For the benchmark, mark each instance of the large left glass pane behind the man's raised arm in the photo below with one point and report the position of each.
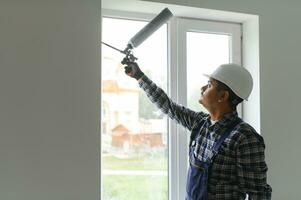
(133, 132)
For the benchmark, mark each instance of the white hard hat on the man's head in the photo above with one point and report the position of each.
(236, 77)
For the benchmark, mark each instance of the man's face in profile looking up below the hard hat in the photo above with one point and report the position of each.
(209, 94)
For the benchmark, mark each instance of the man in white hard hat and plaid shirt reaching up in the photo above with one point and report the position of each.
(226, 154)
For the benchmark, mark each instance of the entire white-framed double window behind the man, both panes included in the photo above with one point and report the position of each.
(143, 151)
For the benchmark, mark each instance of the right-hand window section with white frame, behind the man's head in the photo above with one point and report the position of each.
(200, 46)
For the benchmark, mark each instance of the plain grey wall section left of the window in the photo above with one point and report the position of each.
(49, 99)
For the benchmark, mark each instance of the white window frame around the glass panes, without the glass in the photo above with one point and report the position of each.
(177, 88)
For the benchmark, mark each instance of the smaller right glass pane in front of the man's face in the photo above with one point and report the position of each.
(205, 51)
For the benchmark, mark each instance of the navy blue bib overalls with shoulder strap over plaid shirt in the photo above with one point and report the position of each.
(197, 179)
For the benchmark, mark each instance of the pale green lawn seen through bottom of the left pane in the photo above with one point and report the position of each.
(131, 186)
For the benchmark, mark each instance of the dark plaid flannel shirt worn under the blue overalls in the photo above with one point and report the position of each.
(239, 168)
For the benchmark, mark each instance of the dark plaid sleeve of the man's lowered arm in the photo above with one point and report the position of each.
(252, 168)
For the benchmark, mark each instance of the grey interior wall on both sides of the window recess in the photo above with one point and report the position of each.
(49, 103)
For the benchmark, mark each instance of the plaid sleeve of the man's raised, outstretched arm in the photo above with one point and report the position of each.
(179, 113)
